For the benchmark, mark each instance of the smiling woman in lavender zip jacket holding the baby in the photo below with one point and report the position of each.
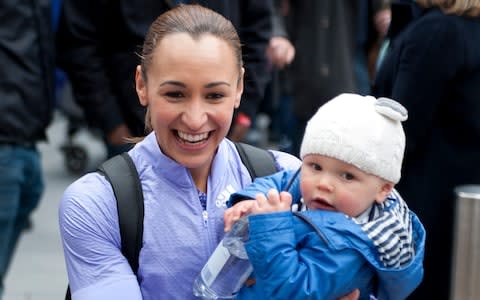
(191, 81)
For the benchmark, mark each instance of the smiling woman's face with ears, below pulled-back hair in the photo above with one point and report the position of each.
(192, 88)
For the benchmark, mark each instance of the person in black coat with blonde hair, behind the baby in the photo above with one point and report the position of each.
(432, 67)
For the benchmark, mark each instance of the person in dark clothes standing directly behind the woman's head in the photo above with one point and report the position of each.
(98, 42)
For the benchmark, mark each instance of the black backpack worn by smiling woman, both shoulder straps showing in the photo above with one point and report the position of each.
(120, 171)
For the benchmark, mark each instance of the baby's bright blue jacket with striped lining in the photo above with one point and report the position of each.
(324, 254)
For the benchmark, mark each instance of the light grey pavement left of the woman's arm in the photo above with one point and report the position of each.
(38, 270)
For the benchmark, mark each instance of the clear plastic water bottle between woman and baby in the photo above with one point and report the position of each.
(228, 267)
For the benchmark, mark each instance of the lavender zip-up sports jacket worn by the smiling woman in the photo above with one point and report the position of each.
(179, 236)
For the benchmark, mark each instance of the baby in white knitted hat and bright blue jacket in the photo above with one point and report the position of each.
(354, 230)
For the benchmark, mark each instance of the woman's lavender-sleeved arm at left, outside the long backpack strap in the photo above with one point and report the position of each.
(91, 242)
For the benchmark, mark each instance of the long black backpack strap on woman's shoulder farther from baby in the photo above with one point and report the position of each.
(122, 174)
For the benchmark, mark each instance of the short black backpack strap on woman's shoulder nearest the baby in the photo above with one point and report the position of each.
(259, 162)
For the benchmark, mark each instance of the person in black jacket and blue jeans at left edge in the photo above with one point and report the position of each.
(26, 105)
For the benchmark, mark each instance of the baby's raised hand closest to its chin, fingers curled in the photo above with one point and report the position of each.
(273, 202)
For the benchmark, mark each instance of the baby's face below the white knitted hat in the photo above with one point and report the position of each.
(330, 184)
